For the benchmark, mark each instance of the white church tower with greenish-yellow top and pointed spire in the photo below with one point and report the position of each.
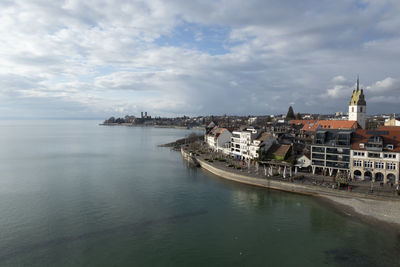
(358, 106)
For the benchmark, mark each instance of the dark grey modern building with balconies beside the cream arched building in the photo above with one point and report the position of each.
(330, 151)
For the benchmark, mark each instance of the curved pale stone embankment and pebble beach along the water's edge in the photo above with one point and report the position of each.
(366, 208)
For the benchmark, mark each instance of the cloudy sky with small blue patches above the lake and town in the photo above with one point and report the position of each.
(100, 58)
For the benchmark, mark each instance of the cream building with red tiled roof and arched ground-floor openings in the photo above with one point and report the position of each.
(375, 155)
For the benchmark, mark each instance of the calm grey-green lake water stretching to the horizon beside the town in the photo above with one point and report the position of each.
(73, 193)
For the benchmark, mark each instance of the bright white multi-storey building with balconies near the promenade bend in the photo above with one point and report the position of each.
(241, 141)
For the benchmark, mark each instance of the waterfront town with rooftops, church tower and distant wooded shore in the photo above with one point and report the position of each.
(352, 148)
